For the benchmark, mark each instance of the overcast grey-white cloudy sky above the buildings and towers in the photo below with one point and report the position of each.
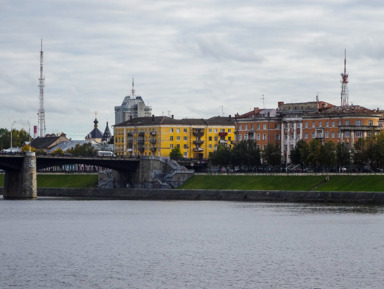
(194, 59)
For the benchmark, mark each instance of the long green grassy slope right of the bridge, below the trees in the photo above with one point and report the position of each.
(292, 183)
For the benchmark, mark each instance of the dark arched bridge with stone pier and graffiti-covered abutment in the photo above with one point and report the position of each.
(20, 171)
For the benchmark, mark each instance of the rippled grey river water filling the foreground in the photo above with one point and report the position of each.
(63, 243)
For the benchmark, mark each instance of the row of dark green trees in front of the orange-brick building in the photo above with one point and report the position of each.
(367, 153)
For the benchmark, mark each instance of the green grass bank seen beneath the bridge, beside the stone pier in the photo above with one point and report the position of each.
(63, 181)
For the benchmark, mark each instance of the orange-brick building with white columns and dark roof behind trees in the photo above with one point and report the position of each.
(292, 122)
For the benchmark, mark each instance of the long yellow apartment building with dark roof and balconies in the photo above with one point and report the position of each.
(158, 135)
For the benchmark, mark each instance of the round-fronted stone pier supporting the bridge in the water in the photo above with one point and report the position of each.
(22, 184)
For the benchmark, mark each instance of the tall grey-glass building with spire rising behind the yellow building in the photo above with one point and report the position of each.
(132, 107)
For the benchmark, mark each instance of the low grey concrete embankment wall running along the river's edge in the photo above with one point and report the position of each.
(376, 198)
